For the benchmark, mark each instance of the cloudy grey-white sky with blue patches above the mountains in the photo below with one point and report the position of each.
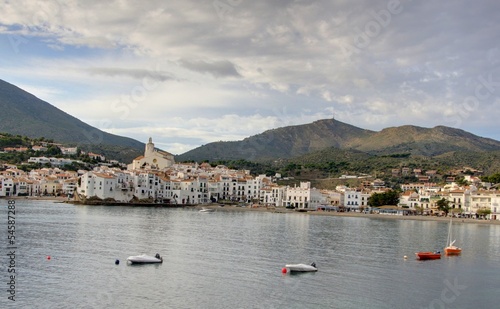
(192, 72)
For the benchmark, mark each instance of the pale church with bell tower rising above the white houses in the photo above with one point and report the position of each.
(153, 159)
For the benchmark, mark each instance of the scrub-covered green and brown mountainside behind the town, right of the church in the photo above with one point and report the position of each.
(454, 147)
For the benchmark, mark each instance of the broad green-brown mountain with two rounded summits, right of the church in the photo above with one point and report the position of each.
(294, 141)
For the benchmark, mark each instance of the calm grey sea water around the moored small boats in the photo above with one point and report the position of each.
(234, 260)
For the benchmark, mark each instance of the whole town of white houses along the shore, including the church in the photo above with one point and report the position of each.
(155, 177)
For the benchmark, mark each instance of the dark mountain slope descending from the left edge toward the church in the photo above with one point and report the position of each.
(24, 114)
